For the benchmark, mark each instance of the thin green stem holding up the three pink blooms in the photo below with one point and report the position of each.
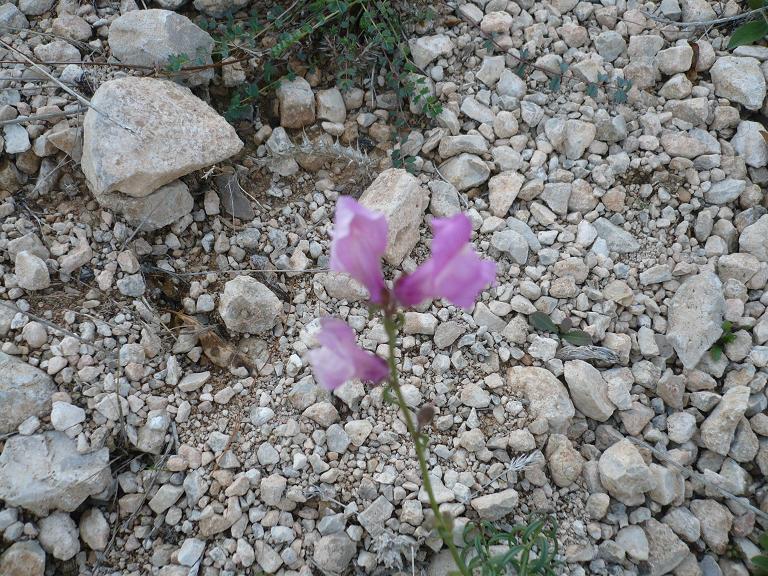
(443, 529)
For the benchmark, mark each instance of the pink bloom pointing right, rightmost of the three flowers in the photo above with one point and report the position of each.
(454, 272)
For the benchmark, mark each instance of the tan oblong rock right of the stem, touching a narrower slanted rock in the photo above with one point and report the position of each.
(547, 396)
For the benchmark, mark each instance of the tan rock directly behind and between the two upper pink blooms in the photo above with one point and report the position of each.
(399, 196)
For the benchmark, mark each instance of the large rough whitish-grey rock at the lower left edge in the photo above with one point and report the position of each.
(45, 472)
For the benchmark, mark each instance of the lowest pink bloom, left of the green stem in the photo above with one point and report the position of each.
(339, 359)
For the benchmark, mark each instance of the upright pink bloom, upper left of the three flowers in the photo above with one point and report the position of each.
(359, 242)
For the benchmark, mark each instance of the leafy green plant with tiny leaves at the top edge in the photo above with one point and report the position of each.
(363, 40)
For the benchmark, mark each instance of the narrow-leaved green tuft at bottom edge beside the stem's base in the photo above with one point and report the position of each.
(526, 549)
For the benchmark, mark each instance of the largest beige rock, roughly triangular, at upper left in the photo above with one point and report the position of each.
(151, 132)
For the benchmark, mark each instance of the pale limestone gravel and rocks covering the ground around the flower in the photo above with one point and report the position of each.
(163, 273)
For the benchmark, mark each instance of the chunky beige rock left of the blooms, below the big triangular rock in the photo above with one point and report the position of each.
(249, 306)
